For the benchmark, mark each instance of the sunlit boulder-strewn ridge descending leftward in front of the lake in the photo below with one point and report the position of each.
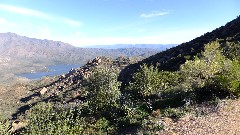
(66, 88)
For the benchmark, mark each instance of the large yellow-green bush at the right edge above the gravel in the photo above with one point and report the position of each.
(212, 74)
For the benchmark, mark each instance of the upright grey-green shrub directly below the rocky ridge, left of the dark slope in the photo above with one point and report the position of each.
(103, 91)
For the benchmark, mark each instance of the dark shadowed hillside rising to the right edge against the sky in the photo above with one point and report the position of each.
(171, 59)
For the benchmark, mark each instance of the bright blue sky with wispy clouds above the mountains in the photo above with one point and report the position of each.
(105, 22)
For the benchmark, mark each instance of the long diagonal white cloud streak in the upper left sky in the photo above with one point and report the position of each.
(35, 13)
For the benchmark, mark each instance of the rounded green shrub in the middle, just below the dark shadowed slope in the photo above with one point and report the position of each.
(149, 81)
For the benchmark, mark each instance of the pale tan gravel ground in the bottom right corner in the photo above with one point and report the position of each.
(223, 121)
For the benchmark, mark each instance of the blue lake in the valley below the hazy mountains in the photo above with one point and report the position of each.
(53, 71)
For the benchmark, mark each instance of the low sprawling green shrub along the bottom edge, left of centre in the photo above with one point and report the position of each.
(45, 118)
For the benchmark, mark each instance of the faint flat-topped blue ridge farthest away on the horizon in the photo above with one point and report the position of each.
(160, 47)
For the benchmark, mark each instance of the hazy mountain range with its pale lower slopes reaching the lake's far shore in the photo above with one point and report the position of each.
(20, 54)
